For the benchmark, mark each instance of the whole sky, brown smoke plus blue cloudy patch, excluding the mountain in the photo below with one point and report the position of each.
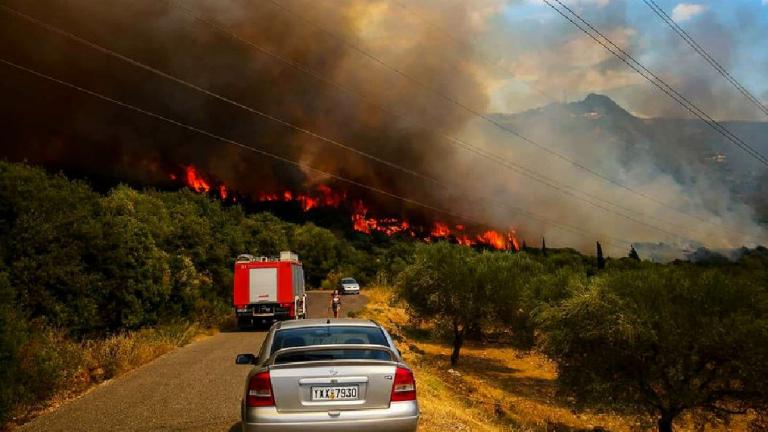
(397, 81)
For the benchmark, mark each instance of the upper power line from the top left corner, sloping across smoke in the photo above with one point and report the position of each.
(177, 80)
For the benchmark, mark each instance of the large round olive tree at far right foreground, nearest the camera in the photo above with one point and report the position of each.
(664, 340)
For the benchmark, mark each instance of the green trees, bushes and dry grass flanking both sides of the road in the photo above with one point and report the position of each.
(93, 284)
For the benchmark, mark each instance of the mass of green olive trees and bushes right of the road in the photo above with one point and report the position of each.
(662, 341)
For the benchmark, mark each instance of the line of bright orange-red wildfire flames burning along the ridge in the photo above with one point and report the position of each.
(325, 197)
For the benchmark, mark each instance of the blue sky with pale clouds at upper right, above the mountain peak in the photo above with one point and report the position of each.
(545, 51)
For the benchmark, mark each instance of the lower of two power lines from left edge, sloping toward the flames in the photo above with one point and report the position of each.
(275, 156)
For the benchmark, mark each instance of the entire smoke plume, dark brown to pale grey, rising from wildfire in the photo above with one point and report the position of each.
(416, 60)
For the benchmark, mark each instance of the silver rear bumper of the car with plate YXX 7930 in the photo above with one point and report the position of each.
(399, 417)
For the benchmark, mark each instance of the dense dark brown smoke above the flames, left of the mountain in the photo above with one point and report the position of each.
(54, 125)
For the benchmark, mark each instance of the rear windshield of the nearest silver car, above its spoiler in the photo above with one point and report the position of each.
(328, 335)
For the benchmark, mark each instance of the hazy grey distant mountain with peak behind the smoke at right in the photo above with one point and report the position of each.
(682, 148)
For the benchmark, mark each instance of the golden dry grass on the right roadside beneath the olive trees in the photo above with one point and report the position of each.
(494, 388)
